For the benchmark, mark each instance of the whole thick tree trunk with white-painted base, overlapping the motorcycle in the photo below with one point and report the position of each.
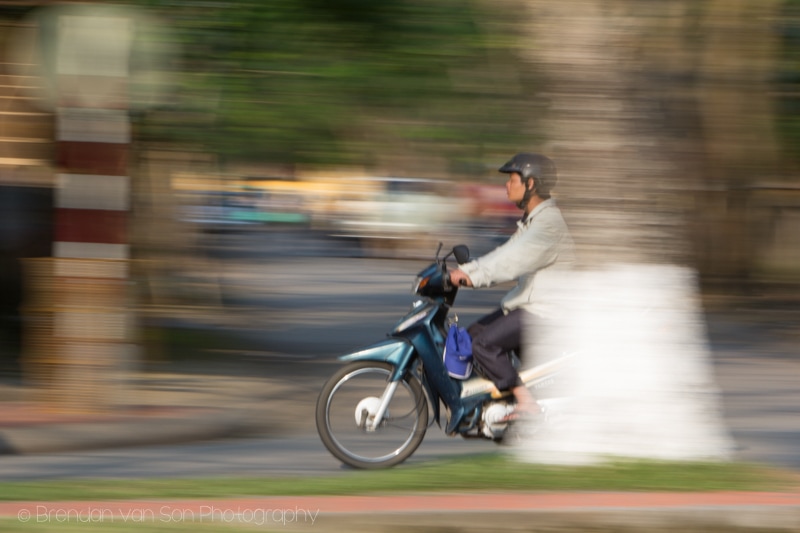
(643, 386)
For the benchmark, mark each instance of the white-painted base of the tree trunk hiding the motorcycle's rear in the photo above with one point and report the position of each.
(642, 385)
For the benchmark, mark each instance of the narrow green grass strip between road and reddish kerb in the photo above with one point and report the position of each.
(475, 473)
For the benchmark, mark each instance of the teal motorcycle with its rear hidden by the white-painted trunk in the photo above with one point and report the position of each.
(374, 411)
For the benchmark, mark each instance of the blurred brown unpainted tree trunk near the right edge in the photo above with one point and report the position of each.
(734, 67)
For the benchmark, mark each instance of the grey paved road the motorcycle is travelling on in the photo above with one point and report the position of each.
(299, 309)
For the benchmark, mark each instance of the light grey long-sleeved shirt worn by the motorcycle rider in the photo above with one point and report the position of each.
(536, 255)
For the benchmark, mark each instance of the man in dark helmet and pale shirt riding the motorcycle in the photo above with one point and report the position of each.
(541, 246)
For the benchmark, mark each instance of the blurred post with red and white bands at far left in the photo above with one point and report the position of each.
(90, 338)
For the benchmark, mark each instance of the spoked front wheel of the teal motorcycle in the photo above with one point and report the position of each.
(348, 404)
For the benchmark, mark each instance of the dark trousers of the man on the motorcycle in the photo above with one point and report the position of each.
(493, 336)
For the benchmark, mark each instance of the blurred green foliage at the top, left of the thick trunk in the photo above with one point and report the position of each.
(316, 81)
